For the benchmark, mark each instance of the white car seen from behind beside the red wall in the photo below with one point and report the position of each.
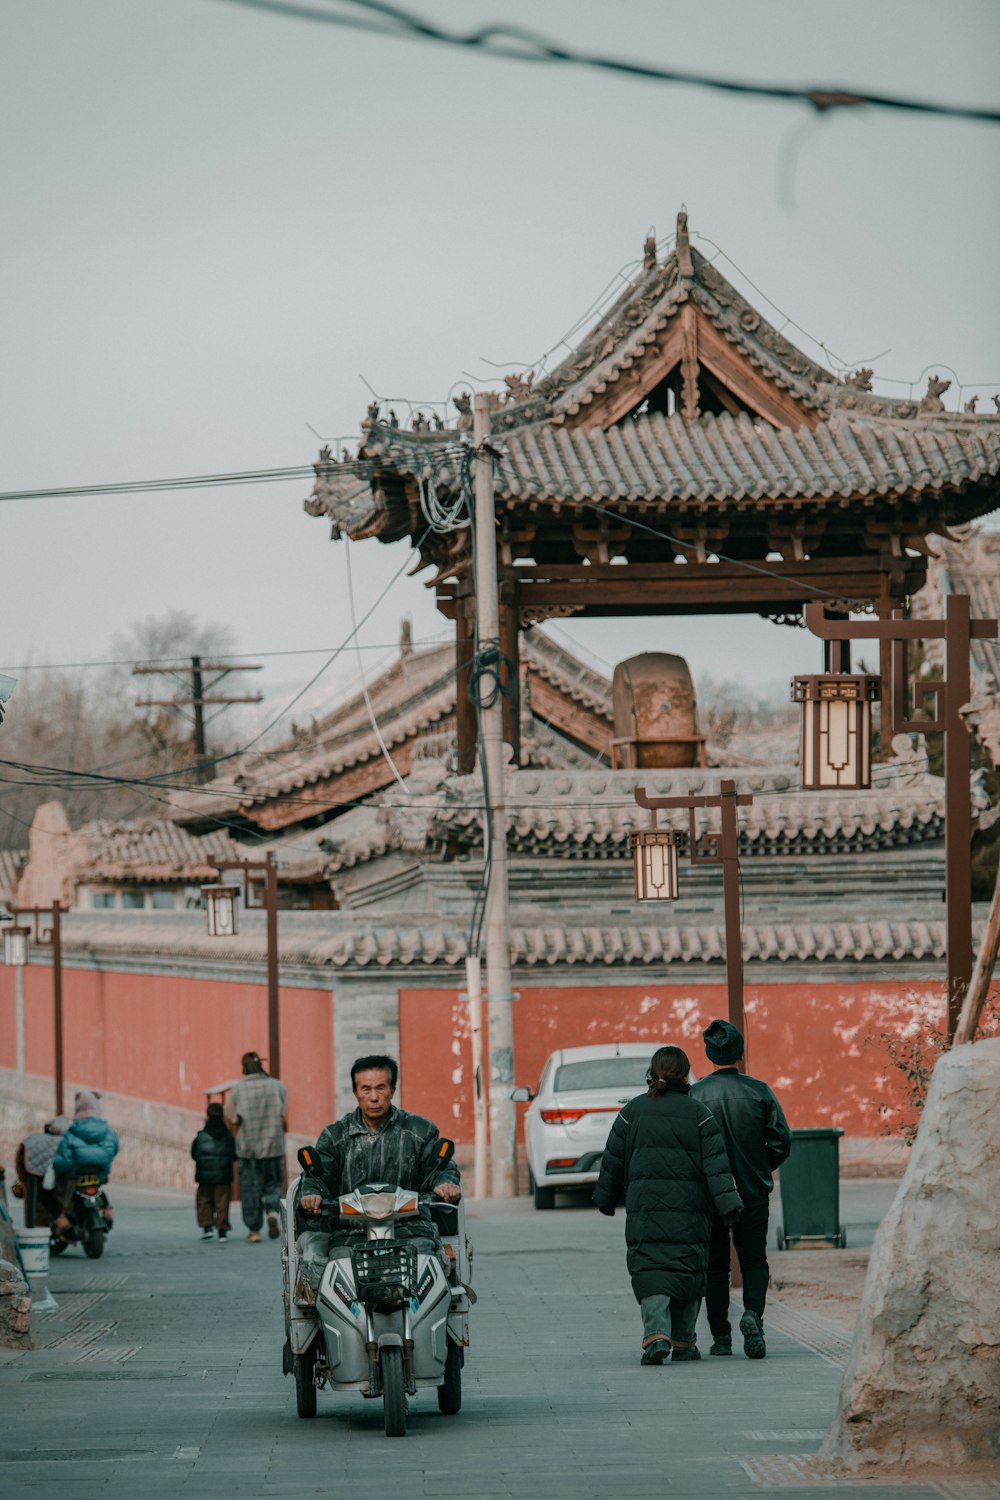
(579, 1094)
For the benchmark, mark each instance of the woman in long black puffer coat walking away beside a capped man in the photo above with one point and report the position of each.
(666, 1162)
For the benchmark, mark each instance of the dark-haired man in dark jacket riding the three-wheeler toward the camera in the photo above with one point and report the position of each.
(377, 1142)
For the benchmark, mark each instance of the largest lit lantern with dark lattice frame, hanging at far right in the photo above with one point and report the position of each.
(836, 743)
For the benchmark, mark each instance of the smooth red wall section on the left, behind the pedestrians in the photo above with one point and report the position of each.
(167, 1039)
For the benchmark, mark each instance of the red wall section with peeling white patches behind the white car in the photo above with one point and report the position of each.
(807, 1040)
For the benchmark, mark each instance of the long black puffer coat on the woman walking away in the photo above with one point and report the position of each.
(666, 1162)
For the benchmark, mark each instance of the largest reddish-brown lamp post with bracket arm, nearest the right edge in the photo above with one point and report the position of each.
(945, 700)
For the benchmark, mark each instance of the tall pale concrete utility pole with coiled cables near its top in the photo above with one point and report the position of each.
(499, 980)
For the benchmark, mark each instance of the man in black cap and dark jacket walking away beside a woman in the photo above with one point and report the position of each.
(758, 1141)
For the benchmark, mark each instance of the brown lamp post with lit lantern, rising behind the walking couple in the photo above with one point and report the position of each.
(656, 859)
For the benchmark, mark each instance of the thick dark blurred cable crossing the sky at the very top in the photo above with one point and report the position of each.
(521, 46)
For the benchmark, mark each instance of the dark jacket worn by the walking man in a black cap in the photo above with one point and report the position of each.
(756, 1133)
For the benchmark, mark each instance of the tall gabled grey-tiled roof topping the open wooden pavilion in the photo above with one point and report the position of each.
(686, 400)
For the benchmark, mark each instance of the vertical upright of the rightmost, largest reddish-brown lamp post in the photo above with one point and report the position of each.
(957, 805)
